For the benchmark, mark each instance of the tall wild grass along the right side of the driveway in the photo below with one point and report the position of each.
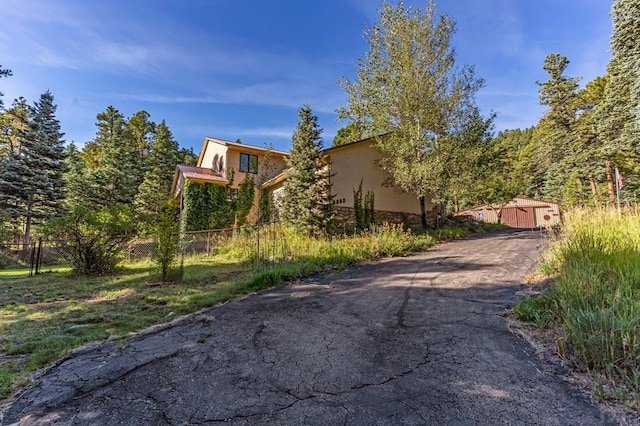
(594, 301)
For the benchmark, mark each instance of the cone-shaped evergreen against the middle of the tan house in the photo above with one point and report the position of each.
(307, 200)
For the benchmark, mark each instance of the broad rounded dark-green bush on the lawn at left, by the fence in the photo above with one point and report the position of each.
(94, 239)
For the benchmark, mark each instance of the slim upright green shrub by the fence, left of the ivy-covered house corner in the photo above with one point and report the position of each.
(166, 245)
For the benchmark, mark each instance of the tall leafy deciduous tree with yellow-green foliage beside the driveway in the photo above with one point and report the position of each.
(407, 84)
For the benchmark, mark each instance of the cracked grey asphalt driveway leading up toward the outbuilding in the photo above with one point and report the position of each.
(415, 340)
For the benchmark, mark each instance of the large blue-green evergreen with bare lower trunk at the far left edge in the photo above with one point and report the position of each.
(31, 184)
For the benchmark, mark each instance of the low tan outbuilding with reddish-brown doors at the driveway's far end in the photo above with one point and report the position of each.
(521, 212)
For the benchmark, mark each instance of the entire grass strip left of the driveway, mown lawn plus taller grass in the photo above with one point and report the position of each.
(45, 316)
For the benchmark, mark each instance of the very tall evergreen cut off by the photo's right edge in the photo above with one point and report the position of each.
(619, 115)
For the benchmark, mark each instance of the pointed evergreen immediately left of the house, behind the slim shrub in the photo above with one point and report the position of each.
(161, 163)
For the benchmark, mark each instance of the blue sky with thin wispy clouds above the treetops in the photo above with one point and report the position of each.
(241, 68)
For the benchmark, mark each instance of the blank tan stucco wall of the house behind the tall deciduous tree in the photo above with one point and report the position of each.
(351, 164)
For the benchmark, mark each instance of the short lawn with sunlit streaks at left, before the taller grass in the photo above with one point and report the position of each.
(44, 316)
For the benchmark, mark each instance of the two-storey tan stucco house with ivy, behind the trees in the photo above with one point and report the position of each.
(350, 165)
